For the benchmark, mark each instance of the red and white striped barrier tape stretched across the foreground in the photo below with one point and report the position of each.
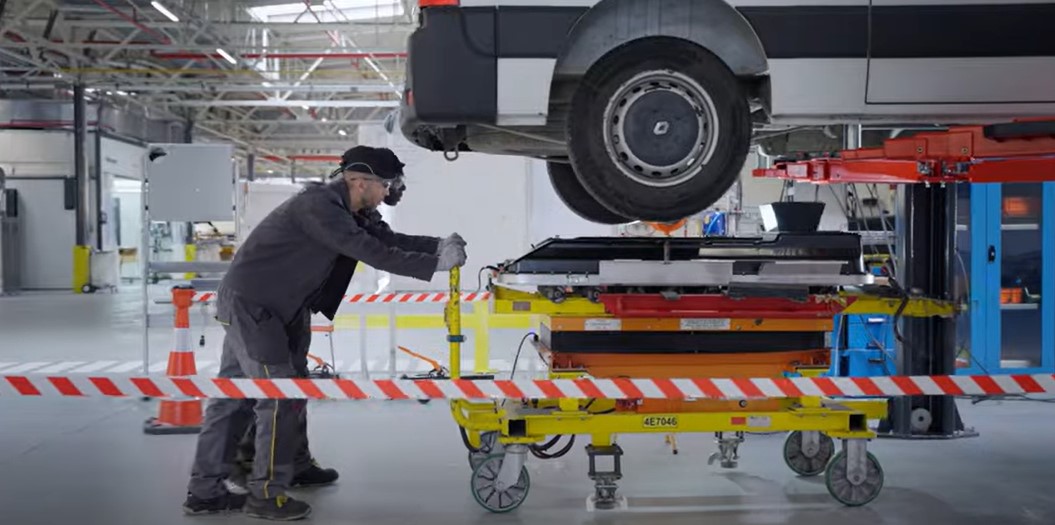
(743, 388)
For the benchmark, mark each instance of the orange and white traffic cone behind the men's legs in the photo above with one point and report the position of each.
(180, 417)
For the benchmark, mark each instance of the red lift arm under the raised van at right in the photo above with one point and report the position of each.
(1018, 152)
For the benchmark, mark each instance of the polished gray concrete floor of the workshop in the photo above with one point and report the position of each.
(88, 462)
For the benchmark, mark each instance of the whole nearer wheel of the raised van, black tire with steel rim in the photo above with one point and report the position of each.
(687, 93)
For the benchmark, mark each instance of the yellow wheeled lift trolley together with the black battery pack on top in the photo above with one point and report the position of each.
(660, 309)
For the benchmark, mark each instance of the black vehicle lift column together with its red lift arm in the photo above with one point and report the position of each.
(926, 167)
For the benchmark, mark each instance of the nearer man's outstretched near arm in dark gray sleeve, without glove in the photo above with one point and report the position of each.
(323, 219)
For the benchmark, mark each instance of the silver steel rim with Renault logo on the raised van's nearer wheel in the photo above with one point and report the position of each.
(617, 122)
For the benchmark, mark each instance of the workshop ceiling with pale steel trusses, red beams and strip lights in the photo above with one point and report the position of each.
(289, 80)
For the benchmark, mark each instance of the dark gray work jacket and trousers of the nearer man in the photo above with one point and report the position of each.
(300, 260)
